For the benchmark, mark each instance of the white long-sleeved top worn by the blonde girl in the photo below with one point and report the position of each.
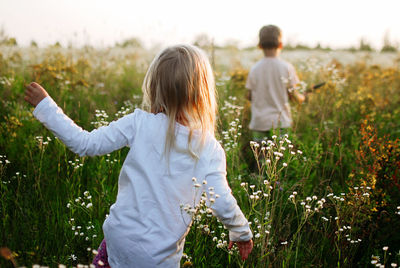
(147, 226)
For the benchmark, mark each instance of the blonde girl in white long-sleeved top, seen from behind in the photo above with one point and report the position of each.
(172, 142)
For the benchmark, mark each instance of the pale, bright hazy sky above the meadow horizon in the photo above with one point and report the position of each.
(102, 23)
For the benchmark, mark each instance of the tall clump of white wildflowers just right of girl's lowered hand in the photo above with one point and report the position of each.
(269, 197)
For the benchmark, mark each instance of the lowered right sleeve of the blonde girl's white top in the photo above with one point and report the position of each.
(225, 207)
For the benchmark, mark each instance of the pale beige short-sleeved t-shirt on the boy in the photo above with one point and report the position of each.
(269, 80)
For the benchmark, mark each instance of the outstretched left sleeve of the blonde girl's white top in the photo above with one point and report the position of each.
(100, 141)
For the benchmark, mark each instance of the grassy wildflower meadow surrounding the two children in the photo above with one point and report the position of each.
(326, 195)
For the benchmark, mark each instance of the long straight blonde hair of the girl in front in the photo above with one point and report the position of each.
(180, 83)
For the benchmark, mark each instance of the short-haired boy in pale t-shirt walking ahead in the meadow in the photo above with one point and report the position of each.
(271, 82)
